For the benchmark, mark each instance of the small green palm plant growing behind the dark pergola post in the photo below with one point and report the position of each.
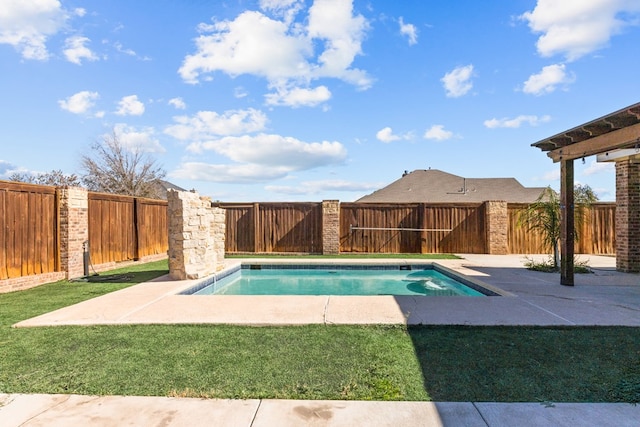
(544, 215)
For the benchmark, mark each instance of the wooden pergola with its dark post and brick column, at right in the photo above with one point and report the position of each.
(614, 137)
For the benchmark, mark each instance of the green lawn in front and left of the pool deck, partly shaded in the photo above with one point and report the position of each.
(443, 363)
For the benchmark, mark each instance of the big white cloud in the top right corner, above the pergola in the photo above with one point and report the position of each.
(575, 28)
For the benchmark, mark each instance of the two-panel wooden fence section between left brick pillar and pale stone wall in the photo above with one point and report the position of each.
(123, 228)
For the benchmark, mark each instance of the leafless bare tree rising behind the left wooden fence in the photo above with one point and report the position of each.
(116, 169)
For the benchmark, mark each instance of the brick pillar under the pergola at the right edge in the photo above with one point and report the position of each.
(628, 215)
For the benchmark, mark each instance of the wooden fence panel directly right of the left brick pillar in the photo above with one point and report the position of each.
(112, 233)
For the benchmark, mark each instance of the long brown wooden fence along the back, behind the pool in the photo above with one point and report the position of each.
(396, 228)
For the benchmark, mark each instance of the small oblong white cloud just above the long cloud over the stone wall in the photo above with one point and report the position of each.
(209, 124)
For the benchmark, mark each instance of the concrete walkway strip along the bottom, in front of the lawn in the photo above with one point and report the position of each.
(114, 411)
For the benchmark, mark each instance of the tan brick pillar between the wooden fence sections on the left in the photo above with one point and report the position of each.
(74, 230)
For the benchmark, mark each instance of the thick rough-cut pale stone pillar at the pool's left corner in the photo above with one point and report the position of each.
(193, 251)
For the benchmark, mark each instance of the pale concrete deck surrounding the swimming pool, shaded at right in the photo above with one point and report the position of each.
(604, 297)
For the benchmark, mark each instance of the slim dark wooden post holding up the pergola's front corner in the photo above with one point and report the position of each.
(567, 222)
